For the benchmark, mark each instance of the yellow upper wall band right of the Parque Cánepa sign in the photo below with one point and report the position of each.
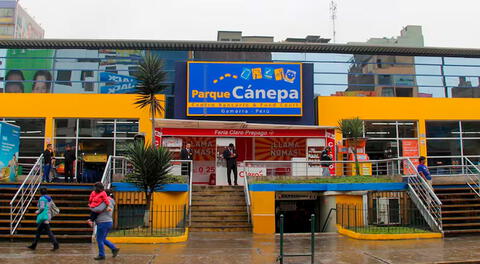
(333, 108)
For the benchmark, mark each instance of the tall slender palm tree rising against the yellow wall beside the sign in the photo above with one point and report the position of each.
(151, 81)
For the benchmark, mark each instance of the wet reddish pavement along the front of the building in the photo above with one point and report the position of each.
(213, 248)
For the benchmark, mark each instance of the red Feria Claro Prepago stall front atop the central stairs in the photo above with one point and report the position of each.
(264, 142)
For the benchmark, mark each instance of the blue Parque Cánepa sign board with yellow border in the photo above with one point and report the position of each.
(244, 89)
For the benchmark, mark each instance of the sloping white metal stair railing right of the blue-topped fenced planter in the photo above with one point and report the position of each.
(424, 198)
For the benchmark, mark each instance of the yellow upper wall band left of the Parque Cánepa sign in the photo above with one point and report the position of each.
(51, 106)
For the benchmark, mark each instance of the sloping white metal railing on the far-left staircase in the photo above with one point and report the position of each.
(25, 194)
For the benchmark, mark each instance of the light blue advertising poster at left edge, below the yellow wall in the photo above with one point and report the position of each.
(9, 147)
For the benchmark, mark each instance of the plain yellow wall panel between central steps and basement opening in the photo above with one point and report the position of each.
(263, 212)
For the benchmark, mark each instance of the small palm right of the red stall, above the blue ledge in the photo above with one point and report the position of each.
(352, 129)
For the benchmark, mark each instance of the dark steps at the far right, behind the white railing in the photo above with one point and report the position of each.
(460, 209)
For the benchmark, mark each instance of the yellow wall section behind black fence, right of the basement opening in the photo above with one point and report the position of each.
(349, 210)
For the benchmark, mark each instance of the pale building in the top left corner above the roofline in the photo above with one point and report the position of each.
(16, 23)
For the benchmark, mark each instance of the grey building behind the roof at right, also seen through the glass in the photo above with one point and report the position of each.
(380, 75)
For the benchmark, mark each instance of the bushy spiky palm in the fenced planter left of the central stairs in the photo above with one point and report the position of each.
(151, 170)
